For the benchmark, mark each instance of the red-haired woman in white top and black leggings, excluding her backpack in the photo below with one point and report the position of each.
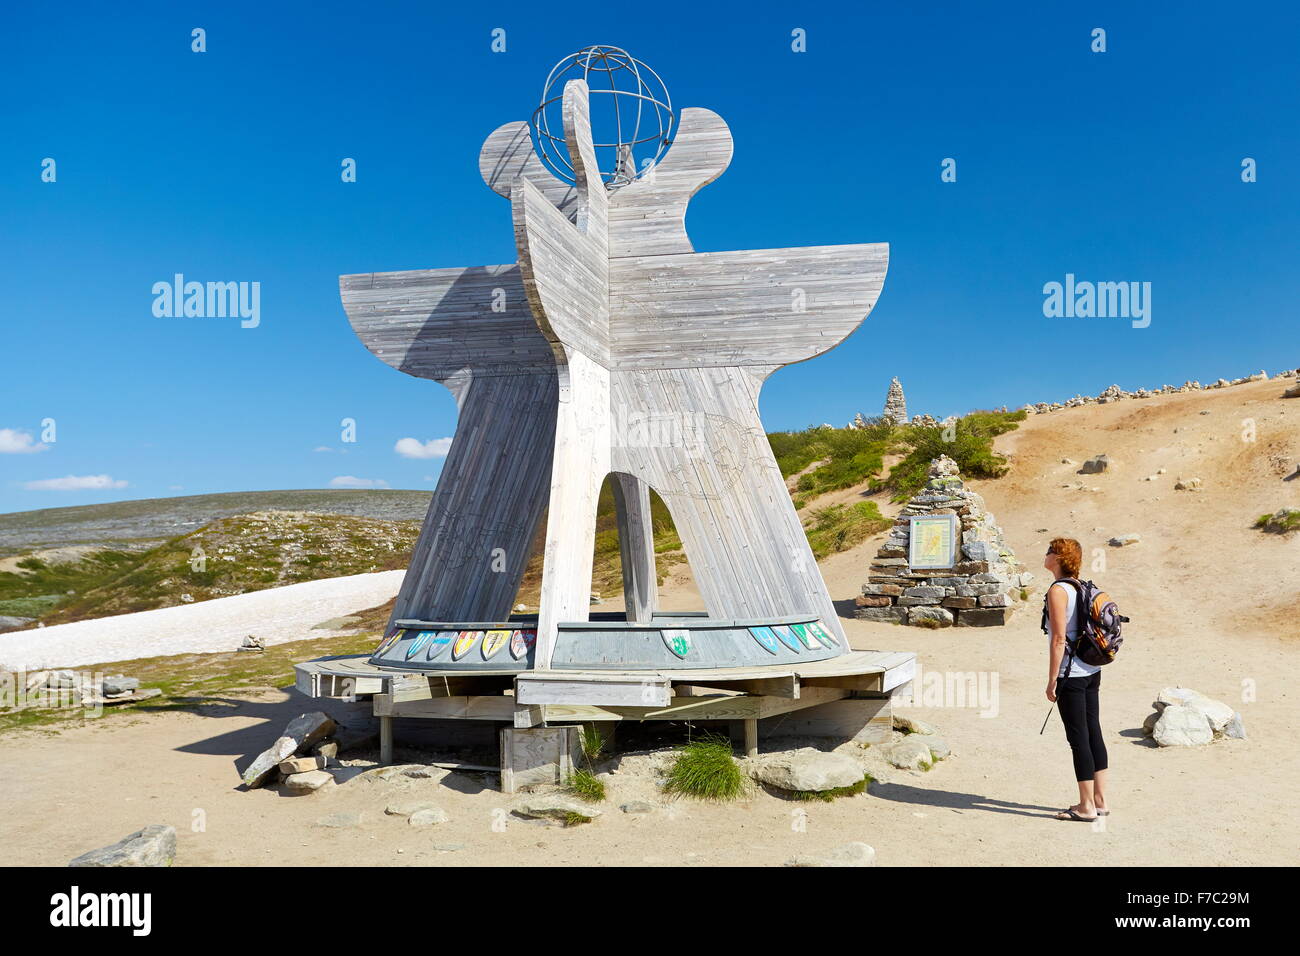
(1074, 694)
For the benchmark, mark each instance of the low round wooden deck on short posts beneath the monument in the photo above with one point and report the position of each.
(534, 699)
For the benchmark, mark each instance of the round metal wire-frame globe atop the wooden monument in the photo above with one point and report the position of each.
(553, 150)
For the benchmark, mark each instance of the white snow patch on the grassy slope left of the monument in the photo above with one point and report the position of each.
(278, 616)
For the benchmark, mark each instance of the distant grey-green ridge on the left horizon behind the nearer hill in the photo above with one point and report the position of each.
(132, 524)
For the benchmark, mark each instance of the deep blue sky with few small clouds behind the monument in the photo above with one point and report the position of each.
(224, 166)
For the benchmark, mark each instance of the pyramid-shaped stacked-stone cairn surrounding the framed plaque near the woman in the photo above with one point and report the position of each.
(980, 591)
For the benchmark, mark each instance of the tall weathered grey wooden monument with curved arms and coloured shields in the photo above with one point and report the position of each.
(612, 349)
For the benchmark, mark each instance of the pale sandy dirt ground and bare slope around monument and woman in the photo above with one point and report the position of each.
(1214, 608)
